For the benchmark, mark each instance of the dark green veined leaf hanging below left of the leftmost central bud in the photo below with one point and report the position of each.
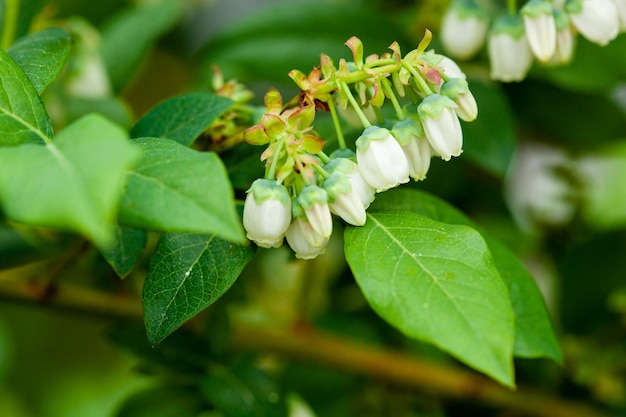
(188, 273)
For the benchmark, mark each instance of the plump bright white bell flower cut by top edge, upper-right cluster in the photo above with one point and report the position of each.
(596, 20)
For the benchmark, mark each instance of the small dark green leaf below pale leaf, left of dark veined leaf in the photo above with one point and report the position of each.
(126, 249)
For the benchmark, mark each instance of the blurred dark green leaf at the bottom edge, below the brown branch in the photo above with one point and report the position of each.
(243, 391)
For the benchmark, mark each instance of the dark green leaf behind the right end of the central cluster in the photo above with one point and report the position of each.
(489, 141)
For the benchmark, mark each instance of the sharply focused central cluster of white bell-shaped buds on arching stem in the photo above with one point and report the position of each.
(303, 186)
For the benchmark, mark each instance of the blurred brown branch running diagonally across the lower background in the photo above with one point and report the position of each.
(312, 346)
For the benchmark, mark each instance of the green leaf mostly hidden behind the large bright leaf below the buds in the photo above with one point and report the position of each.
(534, 334)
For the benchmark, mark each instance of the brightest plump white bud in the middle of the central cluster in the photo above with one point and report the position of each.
(381, 159)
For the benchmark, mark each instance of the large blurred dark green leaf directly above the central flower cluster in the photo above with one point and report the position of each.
(266, 45)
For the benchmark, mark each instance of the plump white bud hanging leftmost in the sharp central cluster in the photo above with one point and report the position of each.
(267, 213)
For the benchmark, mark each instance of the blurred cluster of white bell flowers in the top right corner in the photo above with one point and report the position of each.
(541, 29)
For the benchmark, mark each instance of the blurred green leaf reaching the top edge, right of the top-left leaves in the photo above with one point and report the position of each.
(124, 45)
